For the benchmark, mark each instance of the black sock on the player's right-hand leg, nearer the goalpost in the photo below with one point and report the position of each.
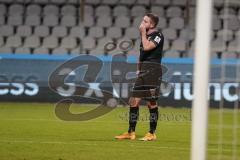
(153, 118)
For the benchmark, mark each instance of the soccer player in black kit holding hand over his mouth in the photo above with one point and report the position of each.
(148, 79)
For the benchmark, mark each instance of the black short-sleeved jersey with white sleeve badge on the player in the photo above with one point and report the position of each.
(154, 55)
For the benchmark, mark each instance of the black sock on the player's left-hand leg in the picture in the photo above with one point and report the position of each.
(133, 117)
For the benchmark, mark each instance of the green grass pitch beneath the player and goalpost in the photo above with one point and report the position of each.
(31, 131)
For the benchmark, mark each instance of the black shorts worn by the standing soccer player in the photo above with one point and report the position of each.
(147, 84)
